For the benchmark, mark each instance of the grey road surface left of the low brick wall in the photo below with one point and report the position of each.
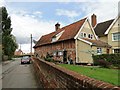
(15, 75)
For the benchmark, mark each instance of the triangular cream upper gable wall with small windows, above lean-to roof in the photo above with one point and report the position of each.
(87, 29)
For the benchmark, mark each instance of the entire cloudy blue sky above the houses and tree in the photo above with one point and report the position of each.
(38, 17)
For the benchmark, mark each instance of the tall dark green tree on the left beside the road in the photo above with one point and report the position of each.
(8, 40)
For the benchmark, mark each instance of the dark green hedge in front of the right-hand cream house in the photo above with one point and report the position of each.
(113, 59)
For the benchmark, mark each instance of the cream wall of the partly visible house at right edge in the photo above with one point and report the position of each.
(114, 29)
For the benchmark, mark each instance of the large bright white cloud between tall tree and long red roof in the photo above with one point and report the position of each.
(24, 25)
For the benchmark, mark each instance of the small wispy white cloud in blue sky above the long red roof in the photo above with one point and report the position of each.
(68, 13)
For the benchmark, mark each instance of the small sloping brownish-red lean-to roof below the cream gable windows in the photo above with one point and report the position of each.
(98, 43)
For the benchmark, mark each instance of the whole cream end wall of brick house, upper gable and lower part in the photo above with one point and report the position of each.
(82, 48)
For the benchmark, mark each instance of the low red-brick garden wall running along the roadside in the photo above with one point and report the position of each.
(53, 76)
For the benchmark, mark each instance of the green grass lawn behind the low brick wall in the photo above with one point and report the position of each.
(104, 74)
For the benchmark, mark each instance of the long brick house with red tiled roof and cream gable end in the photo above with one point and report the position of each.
(76, 42)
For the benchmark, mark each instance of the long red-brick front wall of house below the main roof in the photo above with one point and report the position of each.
(68, 45)
